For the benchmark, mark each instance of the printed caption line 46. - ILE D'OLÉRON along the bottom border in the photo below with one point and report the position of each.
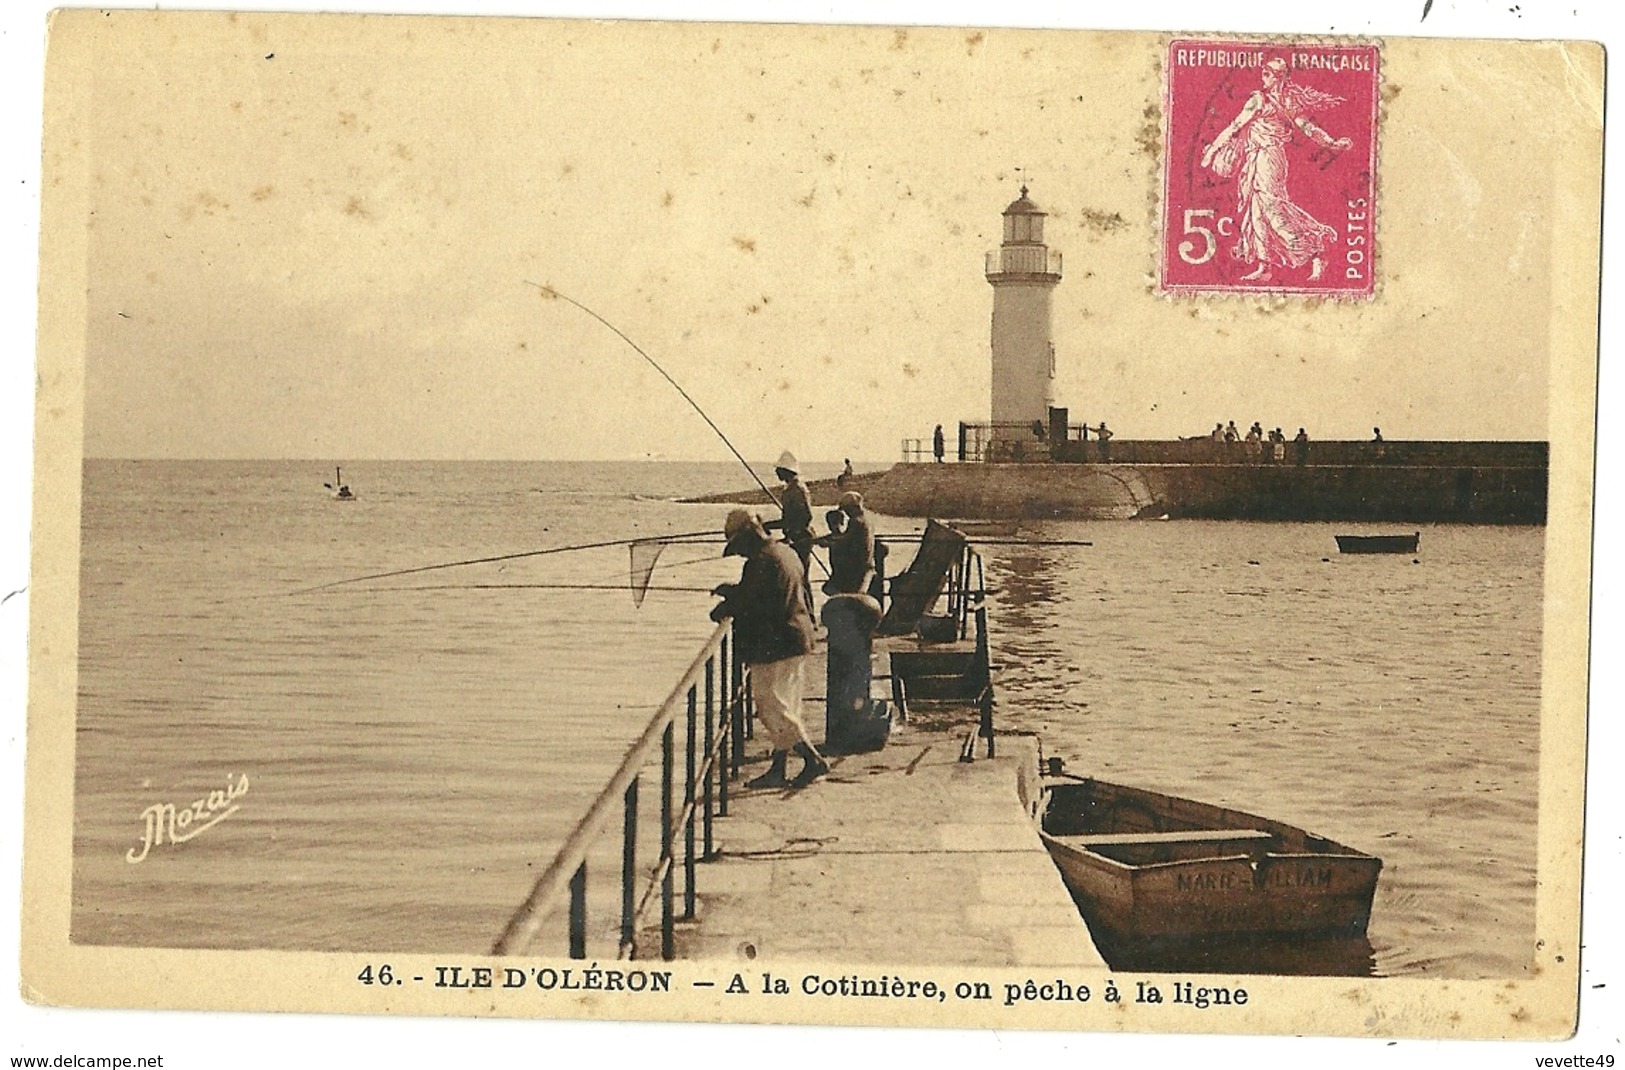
(828, 986)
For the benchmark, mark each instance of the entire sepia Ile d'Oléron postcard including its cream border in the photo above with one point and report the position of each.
(1000, 529)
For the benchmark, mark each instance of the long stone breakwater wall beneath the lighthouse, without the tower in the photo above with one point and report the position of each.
(1406, 482)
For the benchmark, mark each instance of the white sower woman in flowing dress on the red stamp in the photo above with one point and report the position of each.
(1272, 230)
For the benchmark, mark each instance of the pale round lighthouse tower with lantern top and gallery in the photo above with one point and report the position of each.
(1023, 274)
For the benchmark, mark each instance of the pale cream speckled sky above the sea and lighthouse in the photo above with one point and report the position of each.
(308, 243)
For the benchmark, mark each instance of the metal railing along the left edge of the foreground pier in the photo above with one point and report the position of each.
(713, 702)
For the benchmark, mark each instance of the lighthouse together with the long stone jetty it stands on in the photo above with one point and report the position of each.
(1031, 463)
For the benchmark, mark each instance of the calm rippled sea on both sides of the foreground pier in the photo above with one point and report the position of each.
(417, 747)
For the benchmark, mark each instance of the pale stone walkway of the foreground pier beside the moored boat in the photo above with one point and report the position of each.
(904, 856)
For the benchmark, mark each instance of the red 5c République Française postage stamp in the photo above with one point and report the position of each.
(1268, 168)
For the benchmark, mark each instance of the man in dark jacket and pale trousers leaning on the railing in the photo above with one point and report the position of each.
(774, 635)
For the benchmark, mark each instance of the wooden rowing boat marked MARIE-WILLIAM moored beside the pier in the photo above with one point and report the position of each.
(1150, 868)
